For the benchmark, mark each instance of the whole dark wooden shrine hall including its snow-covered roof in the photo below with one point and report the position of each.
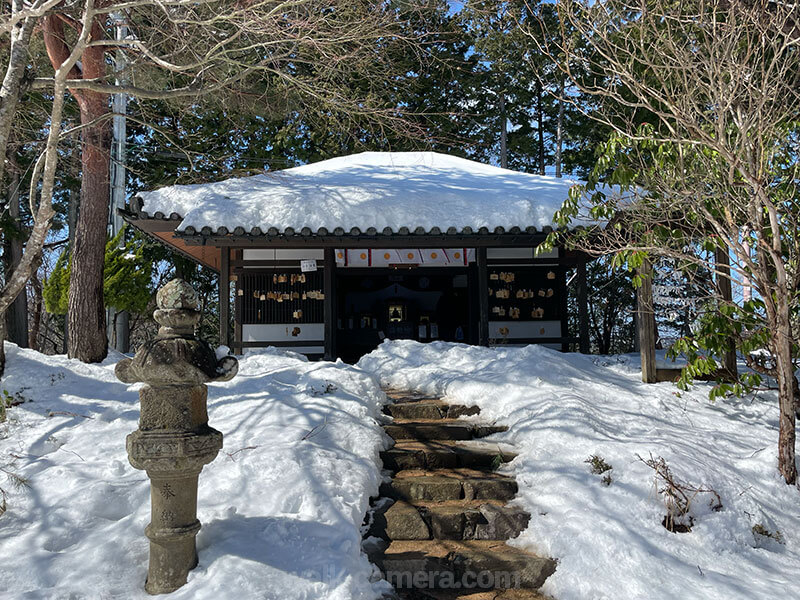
(331, 258)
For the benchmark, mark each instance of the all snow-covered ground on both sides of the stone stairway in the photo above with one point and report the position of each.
(283, 503)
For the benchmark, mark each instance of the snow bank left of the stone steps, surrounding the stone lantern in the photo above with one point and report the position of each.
(281, 506)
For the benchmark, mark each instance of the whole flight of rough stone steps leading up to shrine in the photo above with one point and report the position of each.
(444, 518)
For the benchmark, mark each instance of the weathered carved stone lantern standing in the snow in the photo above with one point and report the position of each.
(174, 440)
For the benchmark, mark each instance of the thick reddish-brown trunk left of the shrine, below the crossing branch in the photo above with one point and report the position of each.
(86, 313)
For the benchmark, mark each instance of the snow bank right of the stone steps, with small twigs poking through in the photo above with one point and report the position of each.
(562, 408)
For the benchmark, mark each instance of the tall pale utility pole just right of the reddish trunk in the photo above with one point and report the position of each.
(118, 178)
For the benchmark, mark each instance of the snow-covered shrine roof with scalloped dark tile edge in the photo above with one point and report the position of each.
(383, 192)
